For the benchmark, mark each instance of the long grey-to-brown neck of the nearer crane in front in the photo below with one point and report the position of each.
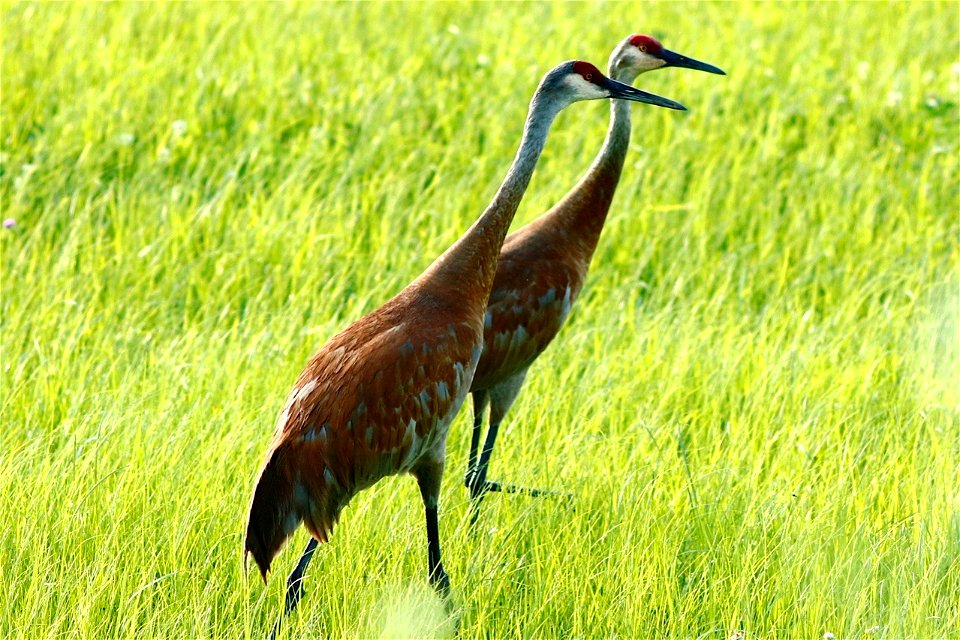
(469, 265)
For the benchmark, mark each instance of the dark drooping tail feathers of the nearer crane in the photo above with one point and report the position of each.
(273, 512)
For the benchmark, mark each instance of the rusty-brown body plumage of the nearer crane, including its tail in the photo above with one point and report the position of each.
(369, 404)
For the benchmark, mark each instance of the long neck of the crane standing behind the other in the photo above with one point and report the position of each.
(583, 210)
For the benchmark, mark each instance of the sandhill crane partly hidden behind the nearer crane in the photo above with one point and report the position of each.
(543, 266)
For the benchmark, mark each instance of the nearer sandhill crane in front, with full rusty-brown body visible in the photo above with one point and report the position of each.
(377, 399)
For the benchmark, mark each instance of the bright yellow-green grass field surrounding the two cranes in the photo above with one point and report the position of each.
(756, 403)
